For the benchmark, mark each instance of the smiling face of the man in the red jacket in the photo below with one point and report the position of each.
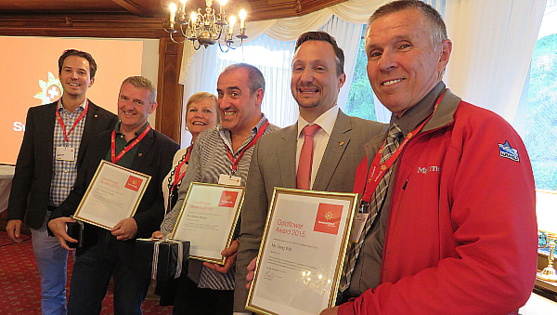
(403, 63)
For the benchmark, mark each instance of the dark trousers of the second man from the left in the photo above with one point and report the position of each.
(93, 268)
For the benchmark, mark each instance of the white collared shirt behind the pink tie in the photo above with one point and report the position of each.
(320, 140)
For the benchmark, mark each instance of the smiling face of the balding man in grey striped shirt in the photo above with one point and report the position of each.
(240, 109)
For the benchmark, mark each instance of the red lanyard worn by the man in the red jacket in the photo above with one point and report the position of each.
(377, 170)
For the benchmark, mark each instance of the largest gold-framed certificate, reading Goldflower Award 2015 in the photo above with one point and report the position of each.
(302, 252)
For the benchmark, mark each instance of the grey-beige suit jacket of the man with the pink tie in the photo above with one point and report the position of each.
(273, 165)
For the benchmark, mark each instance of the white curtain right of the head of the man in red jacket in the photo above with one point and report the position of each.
(493, 43)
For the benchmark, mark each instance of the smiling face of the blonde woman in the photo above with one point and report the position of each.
(201, 116)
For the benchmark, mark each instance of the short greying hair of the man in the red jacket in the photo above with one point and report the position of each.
(437, 27)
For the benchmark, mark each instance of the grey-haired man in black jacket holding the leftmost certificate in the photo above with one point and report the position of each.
(132, 144)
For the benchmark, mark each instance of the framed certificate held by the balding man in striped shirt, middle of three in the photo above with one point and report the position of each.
(208, 219)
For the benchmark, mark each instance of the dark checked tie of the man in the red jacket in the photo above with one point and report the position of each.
(377, 199)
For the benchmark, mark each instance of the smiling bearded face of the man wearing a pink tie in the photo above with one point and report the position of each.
(315, 82)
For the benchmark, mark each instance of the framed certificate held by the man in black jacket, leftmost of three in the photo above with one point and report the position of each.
(113, 195)
